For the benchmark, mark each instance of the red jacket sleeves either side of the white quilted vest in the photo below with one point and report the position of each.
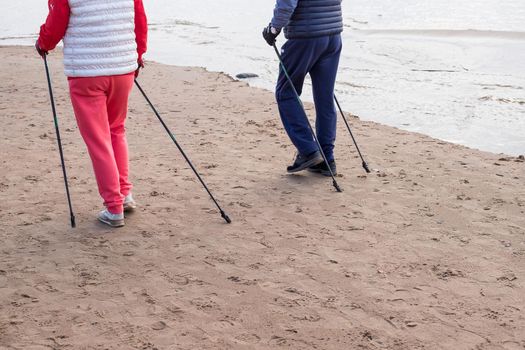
(57, 22)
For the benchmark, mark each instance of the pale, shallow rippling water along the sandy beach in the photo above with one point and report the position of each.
(453, 69)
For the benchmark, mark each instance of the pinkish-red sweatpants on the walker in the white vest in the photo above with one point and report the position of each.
(101, 106)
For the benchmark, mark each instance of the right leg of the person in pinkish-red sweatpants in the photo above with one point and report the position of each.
(117, 107)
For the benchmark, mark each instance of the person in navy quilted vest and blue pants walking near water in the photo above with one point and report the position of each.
(313, 29)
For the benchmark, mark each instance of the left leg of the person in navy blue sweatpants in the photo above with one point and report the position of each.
(298, 56)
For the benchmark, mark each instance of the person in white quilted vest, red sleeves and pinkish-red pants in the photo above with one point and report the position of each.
(104, 42)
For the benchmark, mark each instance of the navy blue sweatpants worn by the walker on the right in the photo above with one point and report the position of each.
(318, 57)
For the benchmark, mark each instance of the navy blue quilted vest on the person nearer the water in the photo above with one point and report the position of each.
(315, 18)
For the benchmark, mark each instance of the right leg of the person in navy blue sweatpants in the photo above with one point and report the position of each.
(323, 75)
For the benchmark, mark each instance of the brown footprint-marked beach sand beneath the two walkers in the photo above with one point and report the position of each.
(428, 252)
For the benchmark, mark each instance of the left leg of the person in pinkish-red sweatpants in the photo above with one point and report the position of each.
(88, 96)
